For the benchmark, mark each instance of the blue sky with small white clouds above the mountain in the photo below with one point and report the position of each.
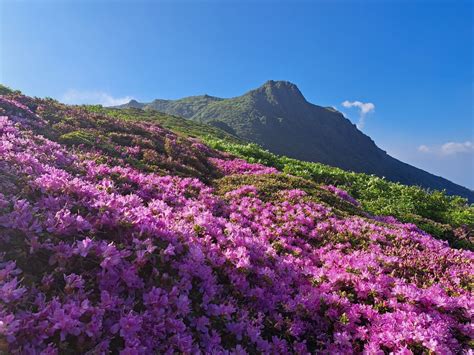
(401, 70)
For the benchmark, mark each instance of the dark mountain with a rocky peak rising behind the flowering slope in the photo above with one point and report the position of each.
(278, 117)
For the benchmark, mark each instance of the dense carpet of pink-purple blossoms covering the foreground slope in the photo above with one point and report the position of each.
(100, 254)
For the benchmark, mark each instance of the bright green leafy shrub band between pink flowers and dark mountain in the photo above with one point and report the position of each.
(447, 217)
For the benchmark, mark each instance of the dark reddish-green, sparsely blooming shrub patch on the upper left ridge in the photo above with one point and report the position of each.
(142, 144)
